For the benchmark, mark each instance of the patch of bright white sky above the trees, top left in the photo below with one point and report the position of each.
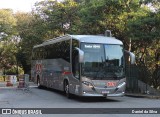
(18, 5)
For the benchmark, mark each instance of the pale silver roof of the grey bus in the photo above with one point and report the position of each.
(83, 38)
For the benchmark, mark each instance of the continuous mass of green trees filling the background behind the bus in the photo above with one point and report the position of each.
(131, 21)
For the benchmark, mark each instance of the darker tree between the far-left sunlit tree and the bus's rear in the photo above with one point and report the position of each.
(31, 31)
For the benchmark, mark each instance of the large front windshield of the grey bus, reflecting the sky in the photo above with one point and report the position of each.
(103, 61)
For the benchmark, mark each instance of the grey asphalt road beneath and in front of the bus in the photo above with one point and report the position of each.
(47, 98)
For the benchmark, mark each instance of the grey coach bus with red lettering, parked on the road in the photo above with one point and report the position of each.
(83, 65)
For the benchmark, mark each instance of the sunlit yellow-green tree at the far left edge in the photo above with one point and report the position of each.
(7, 38)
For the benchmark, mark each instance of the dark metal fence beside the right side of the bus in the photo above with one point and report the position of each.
(138, 81)
